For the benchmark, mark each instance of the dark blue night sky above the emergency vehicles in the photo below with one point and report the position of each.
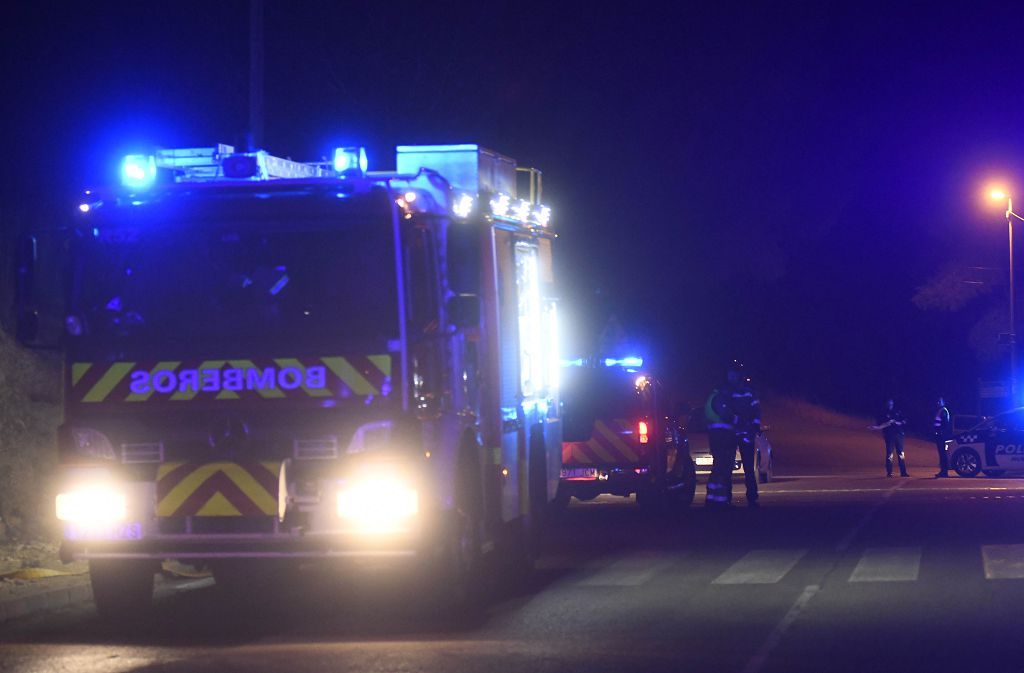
(773, 182)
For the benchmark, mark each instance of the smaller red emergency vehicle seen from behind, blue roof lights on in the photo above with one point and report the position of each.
(620, 438)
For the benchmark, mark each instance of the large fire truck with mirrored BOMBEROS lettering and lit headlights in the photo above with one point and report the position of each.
(270, 361)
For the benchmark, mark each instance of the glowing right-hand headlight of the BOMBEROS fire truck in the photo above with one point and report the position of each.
(378, 504)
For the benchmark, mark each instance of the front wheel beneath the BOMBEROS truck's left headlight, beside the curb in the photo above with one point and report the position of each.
(122, 590)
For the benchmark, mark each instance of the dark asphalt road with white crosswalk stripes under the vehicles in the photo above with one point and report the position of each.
(851, 573)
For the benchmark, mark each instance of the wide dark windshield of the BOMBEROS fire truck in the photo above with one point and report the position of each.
(235, 288)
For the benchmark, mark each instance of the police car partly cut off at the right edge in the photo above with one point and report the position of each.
(994, 447)
